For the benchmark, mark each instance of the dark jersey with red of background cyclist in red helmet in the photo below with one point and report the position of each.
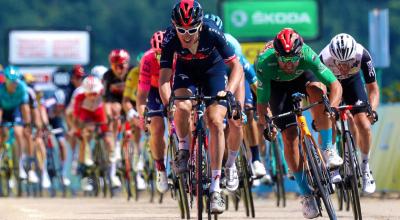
(114, 86)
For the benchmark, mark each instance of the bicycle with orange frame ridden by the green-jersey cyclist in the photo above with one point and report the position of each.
(317, 173)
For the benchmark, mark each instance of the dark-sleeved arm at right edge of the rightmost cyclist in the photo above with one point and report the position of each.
(368, 70)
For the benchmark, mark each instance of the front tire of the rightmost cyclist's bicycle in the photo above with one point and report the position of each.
(353, 178)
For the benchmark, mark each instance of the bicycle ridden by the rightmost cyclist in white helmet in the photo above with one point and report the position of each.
(350, 171)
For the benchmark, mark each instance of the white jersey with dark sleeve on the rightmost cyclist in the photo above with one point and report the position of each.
(362, 61)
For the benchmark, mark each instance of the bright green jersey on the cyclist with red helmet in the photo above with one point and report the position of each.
(268, 69)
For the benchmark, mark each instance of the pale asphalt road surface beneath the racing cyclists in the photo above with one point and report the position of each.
(120, 209)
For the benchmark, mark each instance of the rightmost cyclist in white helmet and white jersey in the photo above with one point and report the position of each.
(345, 57)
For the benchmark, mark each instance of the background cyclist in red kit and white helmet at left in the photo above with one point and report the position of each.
(89, 107)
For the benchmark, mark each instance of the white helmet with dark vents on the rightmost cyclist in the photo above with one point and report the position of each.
(343, 47)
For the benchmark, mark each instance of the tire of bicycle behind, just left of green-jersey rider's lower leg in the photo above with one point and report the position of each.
(281, 195)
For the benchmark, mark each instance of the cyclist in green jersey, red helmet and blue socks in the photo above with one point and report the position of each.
(287, 67)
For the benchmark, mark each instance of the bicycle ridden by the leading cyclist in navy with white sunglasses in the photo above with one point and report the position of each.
(199, 175)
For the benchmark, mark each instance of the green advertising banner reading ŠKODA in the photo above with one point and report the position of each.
(250, 20)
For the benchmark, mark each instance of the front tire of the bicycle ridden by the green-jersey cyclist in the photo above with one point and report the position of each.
(316, 171)
